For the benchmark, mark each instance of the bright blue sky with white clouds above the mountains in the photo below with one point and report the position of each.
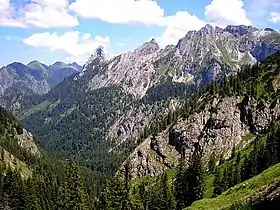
(70, 30)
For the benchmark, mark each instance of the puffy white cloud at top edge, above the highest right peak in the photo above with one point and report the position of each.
(227, 12)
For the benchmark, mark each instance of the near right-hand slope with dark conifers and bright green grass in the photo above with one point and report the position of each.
(247, 162)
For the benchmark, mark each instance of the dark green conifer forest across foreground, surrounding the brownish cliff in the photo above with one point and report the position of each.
(47, 182)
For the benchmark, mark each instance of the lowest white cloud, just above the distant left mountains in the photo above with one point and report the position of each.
(76, 46)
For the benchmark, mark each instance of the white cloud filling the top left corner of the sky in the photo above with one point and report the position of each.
(38, 13)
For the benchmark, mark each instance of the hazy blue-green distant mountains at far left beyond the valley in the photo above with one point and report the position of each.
(18, 80)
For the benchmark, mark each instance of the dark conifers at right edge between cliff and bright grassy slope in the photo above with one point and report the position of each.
(238, 169)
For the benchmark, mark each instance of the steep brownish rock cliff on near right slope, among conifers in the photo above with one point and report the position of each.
(220, 126)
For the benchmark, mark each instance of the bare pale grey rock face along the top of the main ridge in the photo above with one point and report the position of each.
(199, 57)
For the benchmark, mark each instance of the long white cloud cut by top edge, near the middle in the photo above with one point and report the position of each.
(120, 11)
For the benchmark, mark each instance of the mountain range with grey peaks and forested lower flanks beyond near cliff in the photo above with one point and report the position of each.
(111, 103)
